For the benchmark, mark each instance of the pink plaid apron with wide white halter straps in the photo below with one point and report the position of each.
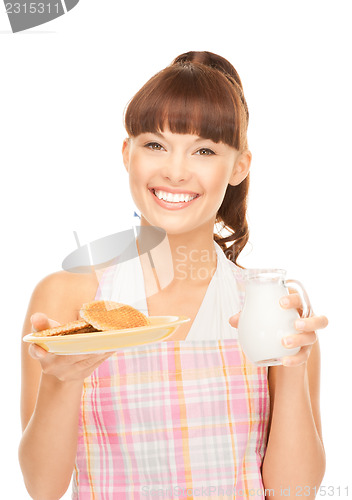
(175, 419)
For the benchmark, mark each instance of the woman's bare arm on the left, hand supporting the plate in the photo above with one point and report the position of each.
(51, 389)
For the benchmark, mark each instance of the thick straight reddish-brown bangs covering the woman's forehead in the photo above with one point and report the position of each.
(188, 99)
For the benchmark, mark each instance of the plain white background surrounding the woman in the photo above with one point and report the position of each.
(63, 89)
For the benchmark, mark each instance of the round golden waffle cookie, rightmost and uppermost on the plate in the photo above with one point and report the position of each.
(107, 315)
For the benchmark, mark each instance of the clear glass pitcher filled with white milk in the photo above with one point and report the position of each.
(263, 322)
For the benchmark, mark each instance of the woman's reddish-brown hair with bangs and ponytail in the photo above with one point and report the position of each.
(200, 93)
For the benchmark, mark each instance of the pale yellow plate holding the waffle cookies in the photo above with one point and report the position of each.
(80, 343)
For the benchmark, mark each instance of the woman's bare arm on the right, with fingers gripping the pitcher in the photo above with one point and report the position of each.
(294, 462)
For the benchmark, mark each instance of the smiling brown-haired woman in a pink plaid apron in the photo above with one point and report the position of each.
(192, 412)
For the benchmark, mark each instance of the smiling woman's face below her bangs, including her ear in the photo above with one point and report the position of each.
(164, 165)
